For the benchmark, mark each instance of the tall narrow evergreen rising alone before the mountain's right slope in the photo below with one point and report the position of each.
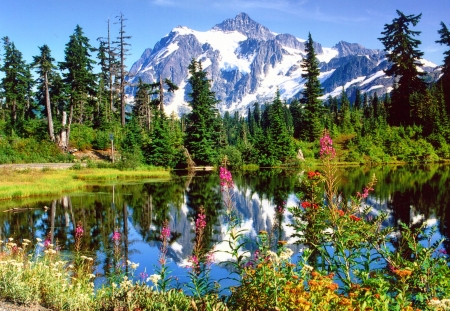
(312, 92)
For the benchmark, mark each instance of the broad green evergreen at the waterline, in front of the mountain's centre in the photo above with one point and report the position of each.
(201, 120)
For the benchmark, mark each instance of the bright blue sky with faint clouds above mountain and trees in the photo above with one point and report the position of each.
(32, 23)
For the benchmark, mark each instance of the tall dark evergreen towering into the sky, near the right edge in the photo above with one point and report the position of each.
(402, 52)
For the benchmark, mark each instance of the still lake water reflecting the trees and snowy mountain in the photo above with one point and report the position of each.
(410, 194)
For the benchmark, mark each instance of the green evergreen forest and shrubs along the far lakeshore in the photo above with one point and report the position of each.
(49, 108)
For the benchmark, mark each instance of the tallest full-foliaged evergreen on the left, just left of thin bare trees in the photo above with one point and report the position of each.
(78, 76)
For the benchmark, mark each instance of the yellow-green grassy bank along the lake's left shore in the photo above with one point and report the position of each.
(15, 184)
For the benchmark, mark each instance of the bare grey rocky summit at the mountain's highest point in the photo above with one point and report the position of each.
(245, 25)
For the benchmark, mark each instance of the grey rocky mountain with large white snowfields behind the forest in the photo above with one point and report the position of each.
(247, 63)
